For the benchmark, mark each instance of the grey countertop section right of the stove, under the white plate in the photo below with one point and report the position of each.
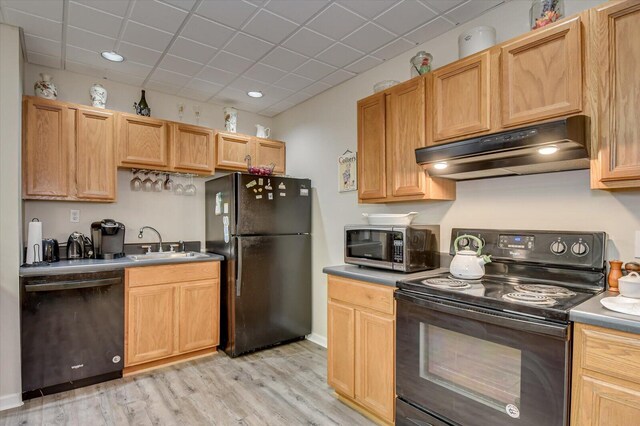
(592, 312)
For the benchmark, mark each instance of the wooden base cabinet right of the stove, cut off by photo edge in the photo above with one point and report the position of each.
(606, 377)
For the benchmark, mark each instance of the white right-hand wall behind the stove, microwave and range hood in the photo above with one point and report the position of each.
(322, 128)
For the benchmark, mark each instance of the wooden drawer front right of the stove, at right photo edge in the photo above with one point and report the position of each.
(610, 352)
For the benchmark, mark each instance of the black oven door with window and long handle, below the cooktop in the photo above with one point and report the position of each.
(474, 366)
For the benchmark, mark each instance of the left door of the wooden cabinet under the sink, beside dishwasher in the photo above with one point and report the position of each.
(151, 323)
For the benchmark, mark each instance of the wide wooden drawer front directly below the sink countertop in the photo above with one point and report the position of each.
(151, 275)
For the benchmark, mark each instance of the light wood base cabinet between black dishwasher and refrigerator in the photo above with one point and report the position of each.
(171, 313)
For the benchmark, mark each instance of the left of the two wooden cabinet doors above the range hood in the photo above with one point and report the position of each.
(461, 98)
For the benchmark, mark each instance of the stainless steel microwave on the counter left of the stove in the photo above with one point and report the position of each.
(408, 248)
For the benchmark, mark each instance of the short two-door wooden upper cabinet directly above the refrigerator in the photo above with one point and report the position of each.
(233, 148)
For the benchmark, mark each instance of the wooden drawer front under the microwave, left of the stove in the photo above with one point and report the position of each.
(370, 296)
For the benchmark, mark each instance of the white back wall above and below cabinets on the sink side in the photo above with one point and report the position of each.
(177, 218)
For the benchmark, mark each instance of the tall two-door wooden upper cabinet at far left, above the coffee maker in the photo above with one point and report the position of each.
(68, 152)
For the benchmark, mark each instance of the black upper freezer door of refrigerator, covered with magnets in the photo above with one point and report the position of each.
(273, 205)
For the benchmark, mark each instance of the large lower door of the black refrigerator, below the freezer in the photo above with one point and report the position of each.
(272, 291)
